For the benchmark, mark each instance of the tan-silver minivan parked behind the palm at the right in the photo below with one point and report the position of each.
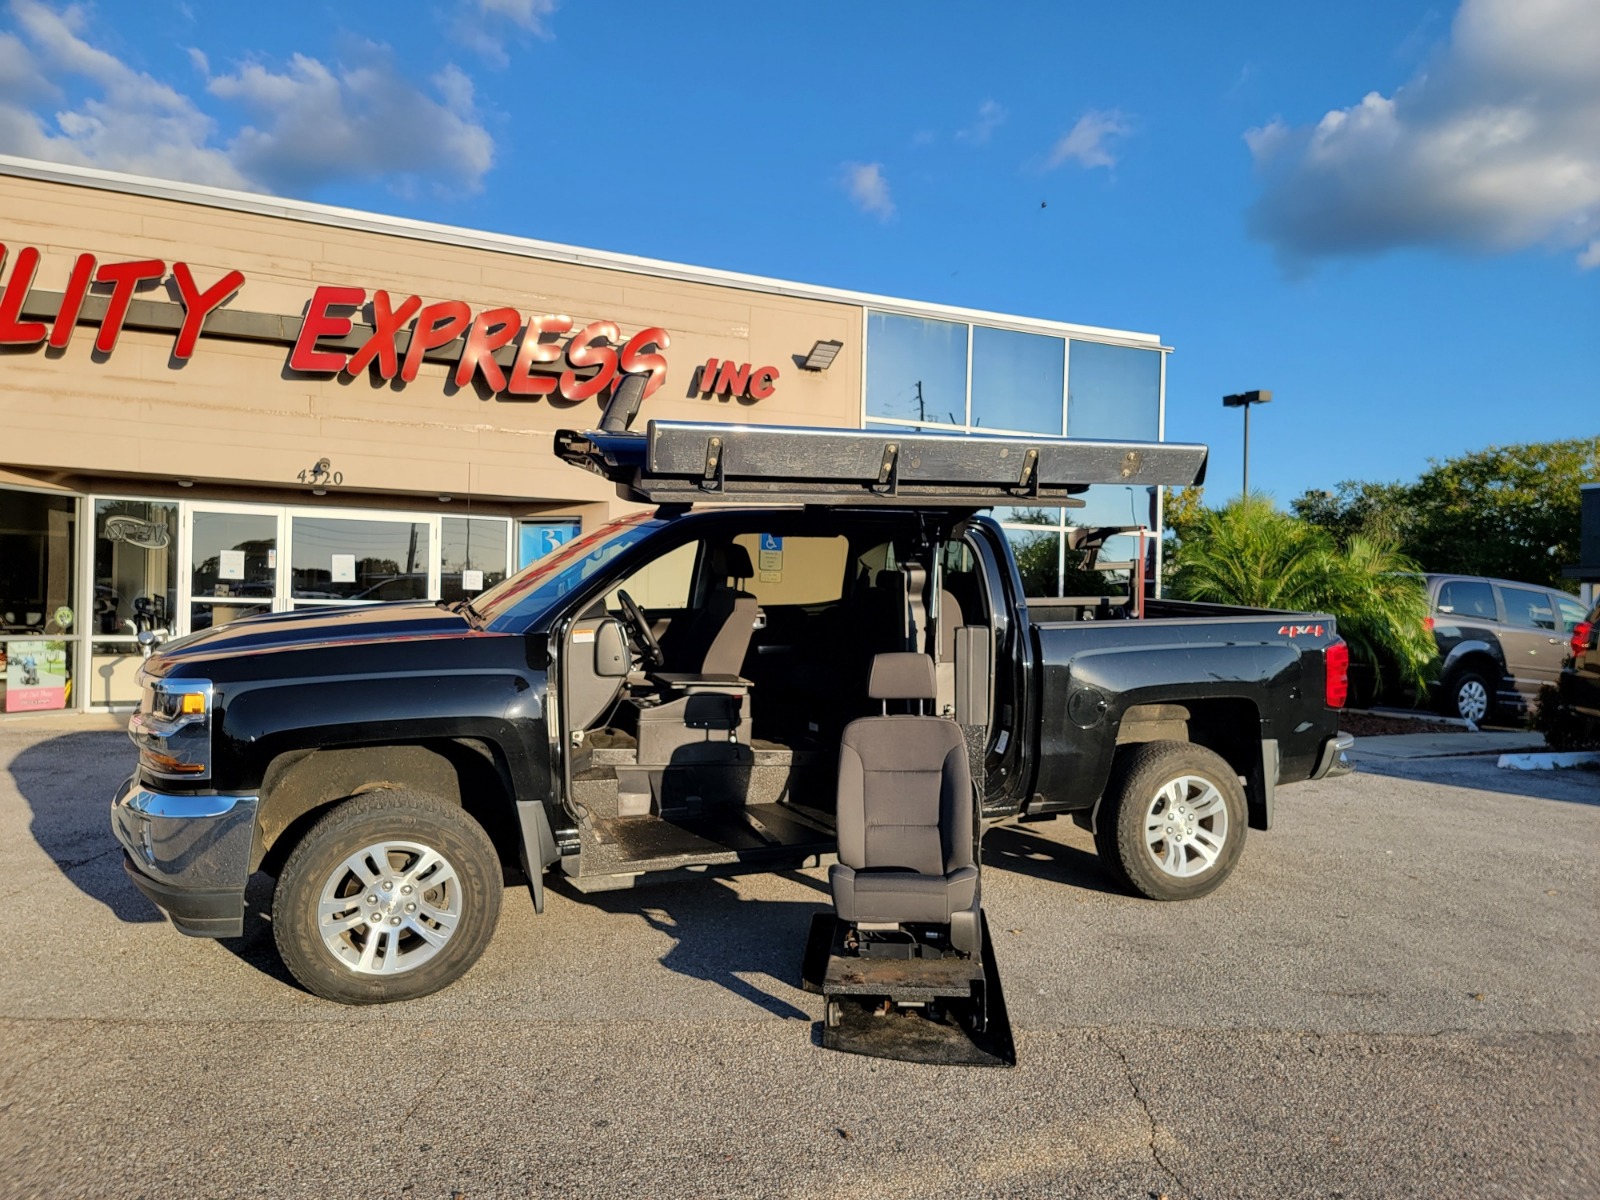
(1498, 641)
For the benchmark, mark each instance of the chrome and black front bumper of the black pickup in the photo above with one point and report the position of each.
(190, 855)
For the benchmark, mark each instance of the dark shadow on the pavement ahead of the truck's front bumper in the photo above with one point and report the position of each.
(68, 785)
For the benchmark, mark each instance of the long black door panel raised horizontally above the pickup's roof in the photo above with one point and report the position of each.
(695, 462)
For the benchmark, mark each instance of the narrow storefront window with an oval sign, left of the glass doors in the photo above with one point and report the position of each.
(135, 591)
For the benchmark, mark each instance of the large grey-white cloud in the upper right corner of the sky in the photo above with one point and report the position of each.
(1495, 148)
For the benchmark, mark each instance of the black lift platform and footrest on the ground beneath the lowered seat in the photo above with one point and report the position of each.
(942, 1010)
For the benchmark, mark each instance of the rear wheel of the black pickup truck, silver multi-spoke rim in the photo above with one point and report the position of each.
(1215, 826)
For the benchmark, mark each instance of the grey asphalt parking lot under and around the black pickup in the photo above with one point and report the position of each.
(1398, 994)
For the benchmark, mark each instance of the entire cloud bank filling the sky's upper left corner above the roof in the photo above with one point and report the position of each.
(313, 124)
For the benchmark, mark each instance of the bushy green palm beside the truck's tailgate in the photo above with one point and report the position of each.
(1252, 554)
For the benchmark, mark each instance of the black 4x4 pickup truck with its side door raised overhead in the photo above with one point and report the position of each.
(665, 700)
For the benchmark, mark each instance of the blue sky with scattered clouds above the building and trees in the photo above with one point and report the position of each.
(1388, 214)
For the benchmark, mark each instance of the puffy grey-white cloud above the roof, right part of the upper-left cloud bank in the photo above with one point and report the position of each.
(316, 124)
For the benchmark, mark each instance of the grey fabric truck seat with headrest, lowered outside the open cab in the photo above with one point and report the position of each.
(906, 849)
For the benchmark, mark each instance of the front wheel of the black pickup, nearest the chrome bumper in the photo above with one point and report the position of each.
(383, 951)
